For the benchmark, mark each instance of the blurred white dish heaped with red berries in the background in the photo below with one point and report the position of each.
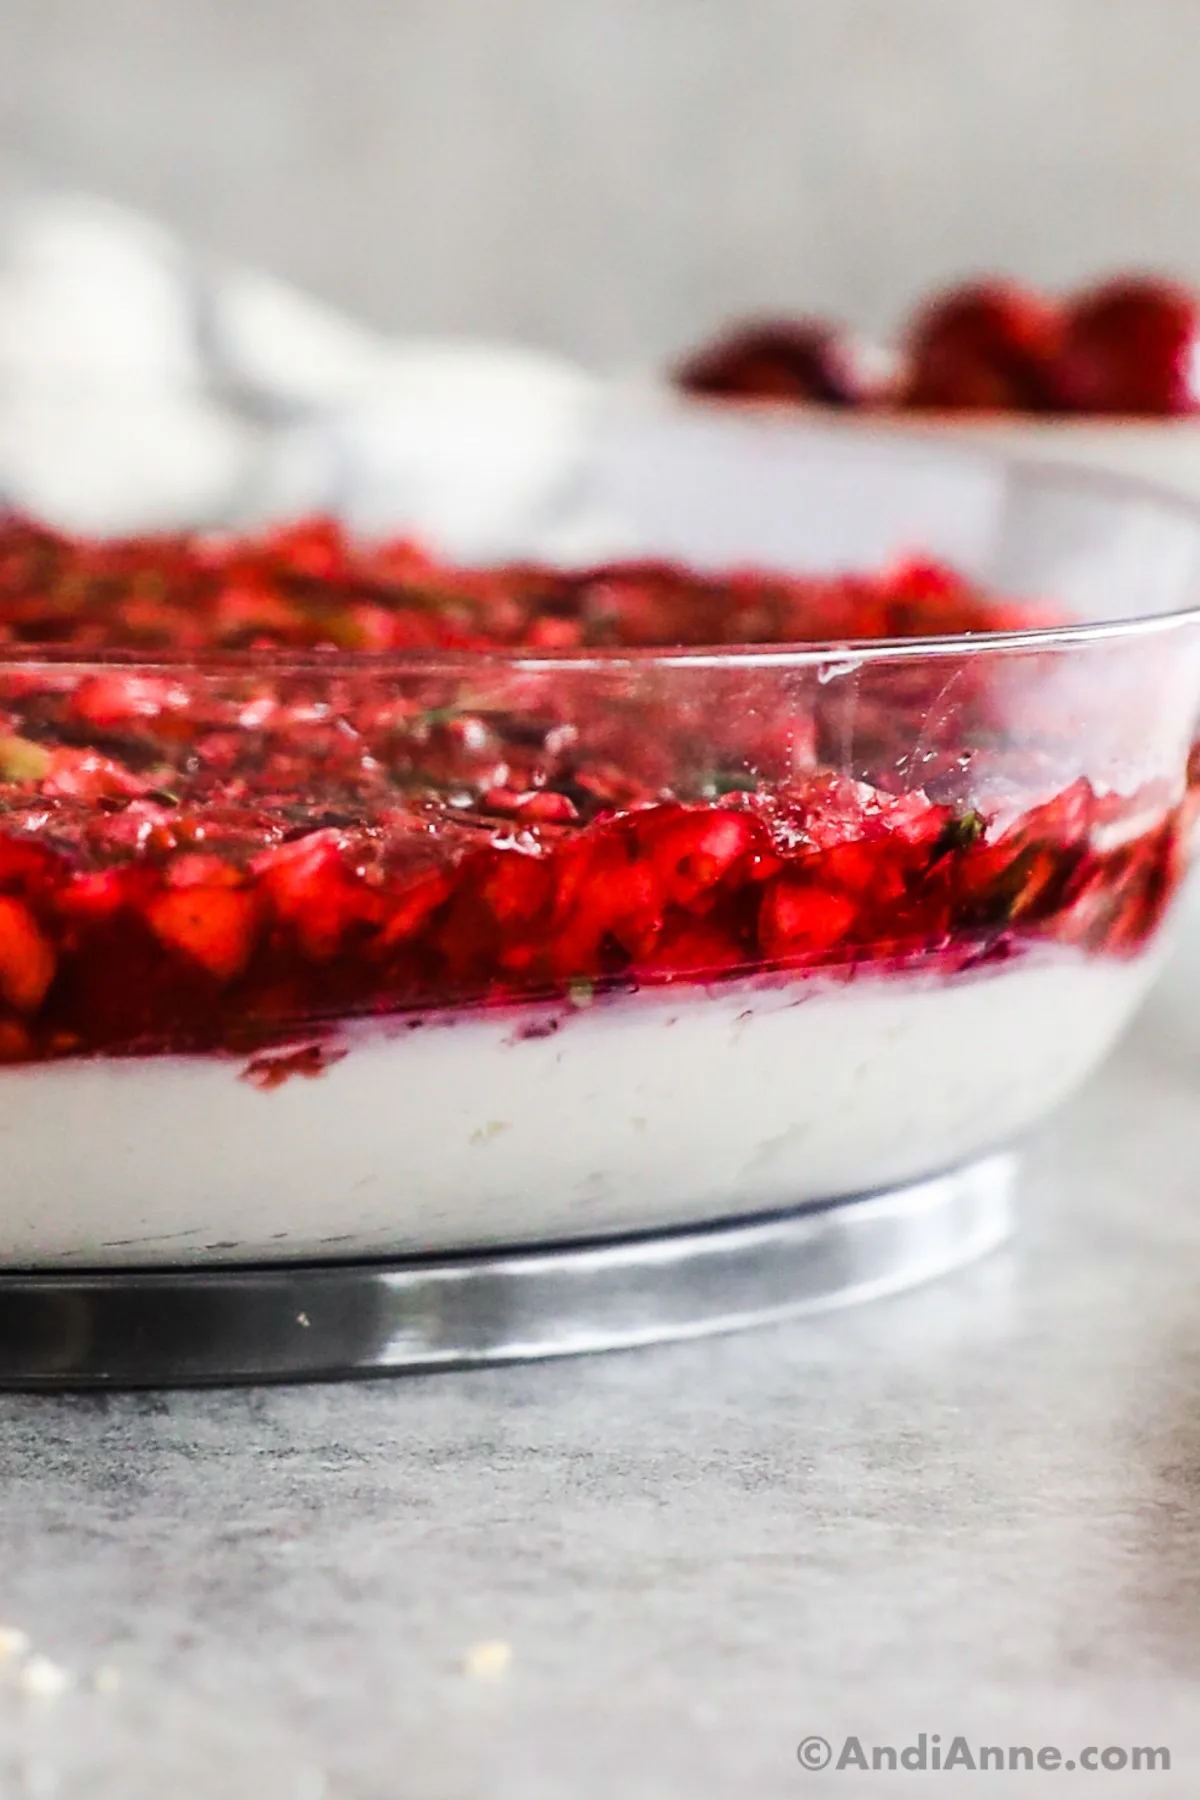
(1107, 377)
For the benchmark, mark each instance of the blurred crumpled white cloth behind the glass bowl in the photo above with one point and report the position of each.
(143, 390)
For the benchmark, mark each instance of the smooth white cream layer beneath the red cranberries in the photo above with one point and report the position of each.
(497, 1128)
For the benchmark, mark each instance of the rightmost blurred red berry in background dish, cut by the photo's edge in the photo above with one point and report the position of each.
(1131, 348)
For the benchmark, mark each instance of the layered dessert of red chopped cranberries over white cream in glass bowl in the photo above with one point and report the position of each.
(355, 903)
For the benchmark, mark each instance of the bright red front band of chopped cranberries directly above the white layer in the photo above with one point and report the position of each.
(184, 946)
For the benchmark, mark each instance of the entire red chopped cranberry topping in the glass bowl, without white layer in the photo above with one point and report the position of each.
(224, 858)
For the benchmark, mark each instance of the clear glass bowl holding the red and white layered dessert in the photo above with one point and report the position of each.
(514, 949)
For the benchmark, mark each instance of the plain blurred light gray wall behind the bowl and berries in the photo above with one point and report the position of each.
(609, 177)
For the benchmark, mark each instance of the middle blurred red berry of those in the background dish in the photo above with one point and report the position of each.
(985, 346)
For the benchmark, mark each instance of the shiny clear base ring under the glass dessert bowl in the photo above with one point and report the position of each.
(334, 1320)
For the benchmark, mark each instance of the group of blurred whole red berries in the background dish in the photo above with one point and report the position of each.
(1127, 348)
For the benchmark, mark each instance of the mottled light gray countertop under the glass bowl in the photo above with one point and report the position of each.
(972, 1511)
